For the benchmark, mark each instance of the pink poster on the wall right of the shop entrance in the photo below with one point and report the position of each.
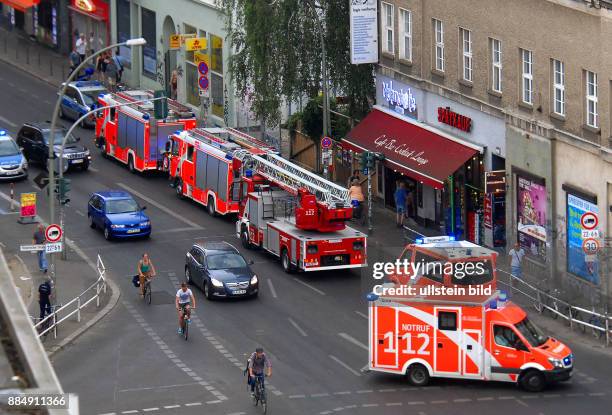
(531, 217)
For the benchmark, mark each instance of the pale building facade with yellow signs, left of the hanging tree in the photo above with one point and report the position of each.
(152, 66)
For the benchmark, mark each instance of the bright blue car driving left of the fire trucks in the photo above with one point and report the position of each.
(118, 215)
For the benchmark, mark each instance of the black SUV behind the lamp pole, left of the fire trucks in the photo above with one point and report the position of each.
(34, 139)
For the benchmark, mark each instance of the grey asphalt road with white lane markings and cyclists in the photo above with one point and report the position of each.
(312, 326)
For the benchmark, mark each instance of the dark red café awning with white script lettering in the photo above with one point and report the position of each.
(415, 149)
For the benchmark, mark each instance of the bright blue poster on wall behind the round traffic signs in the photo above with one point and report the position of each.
(578, 263)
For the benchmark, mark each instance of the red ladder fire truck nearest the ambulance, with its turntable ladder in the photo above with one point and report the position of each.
(297, 216)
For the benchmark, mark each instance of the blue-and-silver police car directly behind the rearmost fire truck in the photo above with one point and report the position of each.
(79, 99)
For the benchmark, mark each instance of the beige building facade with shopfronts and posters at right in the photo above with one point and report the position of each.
(533, 81)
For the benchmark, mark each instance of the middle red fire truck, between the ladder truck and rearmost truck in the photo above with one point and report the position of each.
(205, 164)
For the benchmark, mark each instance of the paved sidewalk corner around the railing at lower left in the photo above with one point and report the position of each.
(73, 276)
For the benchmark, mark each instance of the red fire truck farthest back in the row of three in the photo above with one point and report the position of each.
(131, 133)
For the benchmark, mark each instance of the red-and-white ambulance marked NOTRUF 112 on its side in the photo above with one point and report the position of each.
(481, 337)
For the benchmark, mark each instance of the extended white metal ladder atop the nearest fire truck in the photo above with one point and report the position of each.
(277, 169)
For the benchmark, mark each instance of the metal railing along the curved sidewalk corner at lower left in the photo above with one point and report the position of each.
(62, 313)
